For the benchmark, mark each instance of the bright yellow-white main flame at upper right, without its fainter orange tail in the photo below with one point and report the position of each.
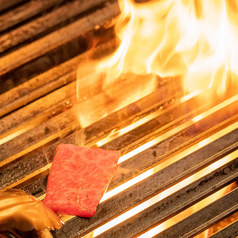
(195, 39)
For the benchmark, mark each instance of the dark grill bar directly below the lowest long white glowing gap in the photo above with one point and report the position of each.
(176, 203)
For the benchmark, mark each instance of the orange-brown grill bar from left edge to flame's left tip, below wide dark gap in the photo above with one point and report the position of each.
(47, 82)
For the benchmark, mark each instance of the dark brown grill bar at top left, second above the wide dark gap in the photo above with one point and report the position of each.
(46, 22)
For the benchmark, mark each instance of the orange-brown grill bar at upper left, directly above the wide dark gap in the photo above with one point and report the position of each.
(57, 38)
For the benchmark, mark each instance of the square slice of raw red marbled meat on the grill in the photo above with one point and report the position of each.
(78, 179)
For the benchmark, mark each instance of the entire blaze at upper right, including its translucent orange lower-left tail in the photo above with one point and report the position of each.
(190, 39)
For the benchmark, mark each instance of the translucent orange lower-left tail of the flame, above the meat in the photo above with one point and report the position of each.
(100, 94)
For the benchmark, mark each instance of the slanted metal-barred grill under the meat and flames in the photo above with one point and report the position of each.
(165, 138)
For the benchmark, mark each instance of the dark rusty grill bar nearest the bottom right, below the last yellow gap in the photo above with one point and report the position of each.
(204, 218)
